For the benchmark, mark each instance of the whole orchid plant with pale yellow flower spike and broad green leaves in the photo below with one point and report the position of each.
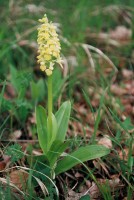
(52, 128)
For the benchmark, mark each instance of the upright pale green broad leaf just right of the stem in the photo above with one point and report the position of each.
(62, 117)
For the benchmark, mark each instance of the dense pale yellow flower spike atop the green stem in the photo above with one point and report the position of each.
(49, 46)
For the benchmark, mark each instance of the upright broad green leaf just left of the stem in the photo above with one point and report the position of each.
(41, 119)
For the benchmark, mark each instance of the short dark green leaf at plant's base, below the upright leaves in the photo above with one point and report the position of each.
(56, 150)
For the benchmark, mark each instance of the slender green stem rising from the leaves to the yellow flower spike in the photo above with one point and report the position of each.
(50, 100)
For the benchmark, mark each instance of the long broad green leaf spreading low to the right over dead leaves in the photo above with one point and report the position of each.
(81, 155)
